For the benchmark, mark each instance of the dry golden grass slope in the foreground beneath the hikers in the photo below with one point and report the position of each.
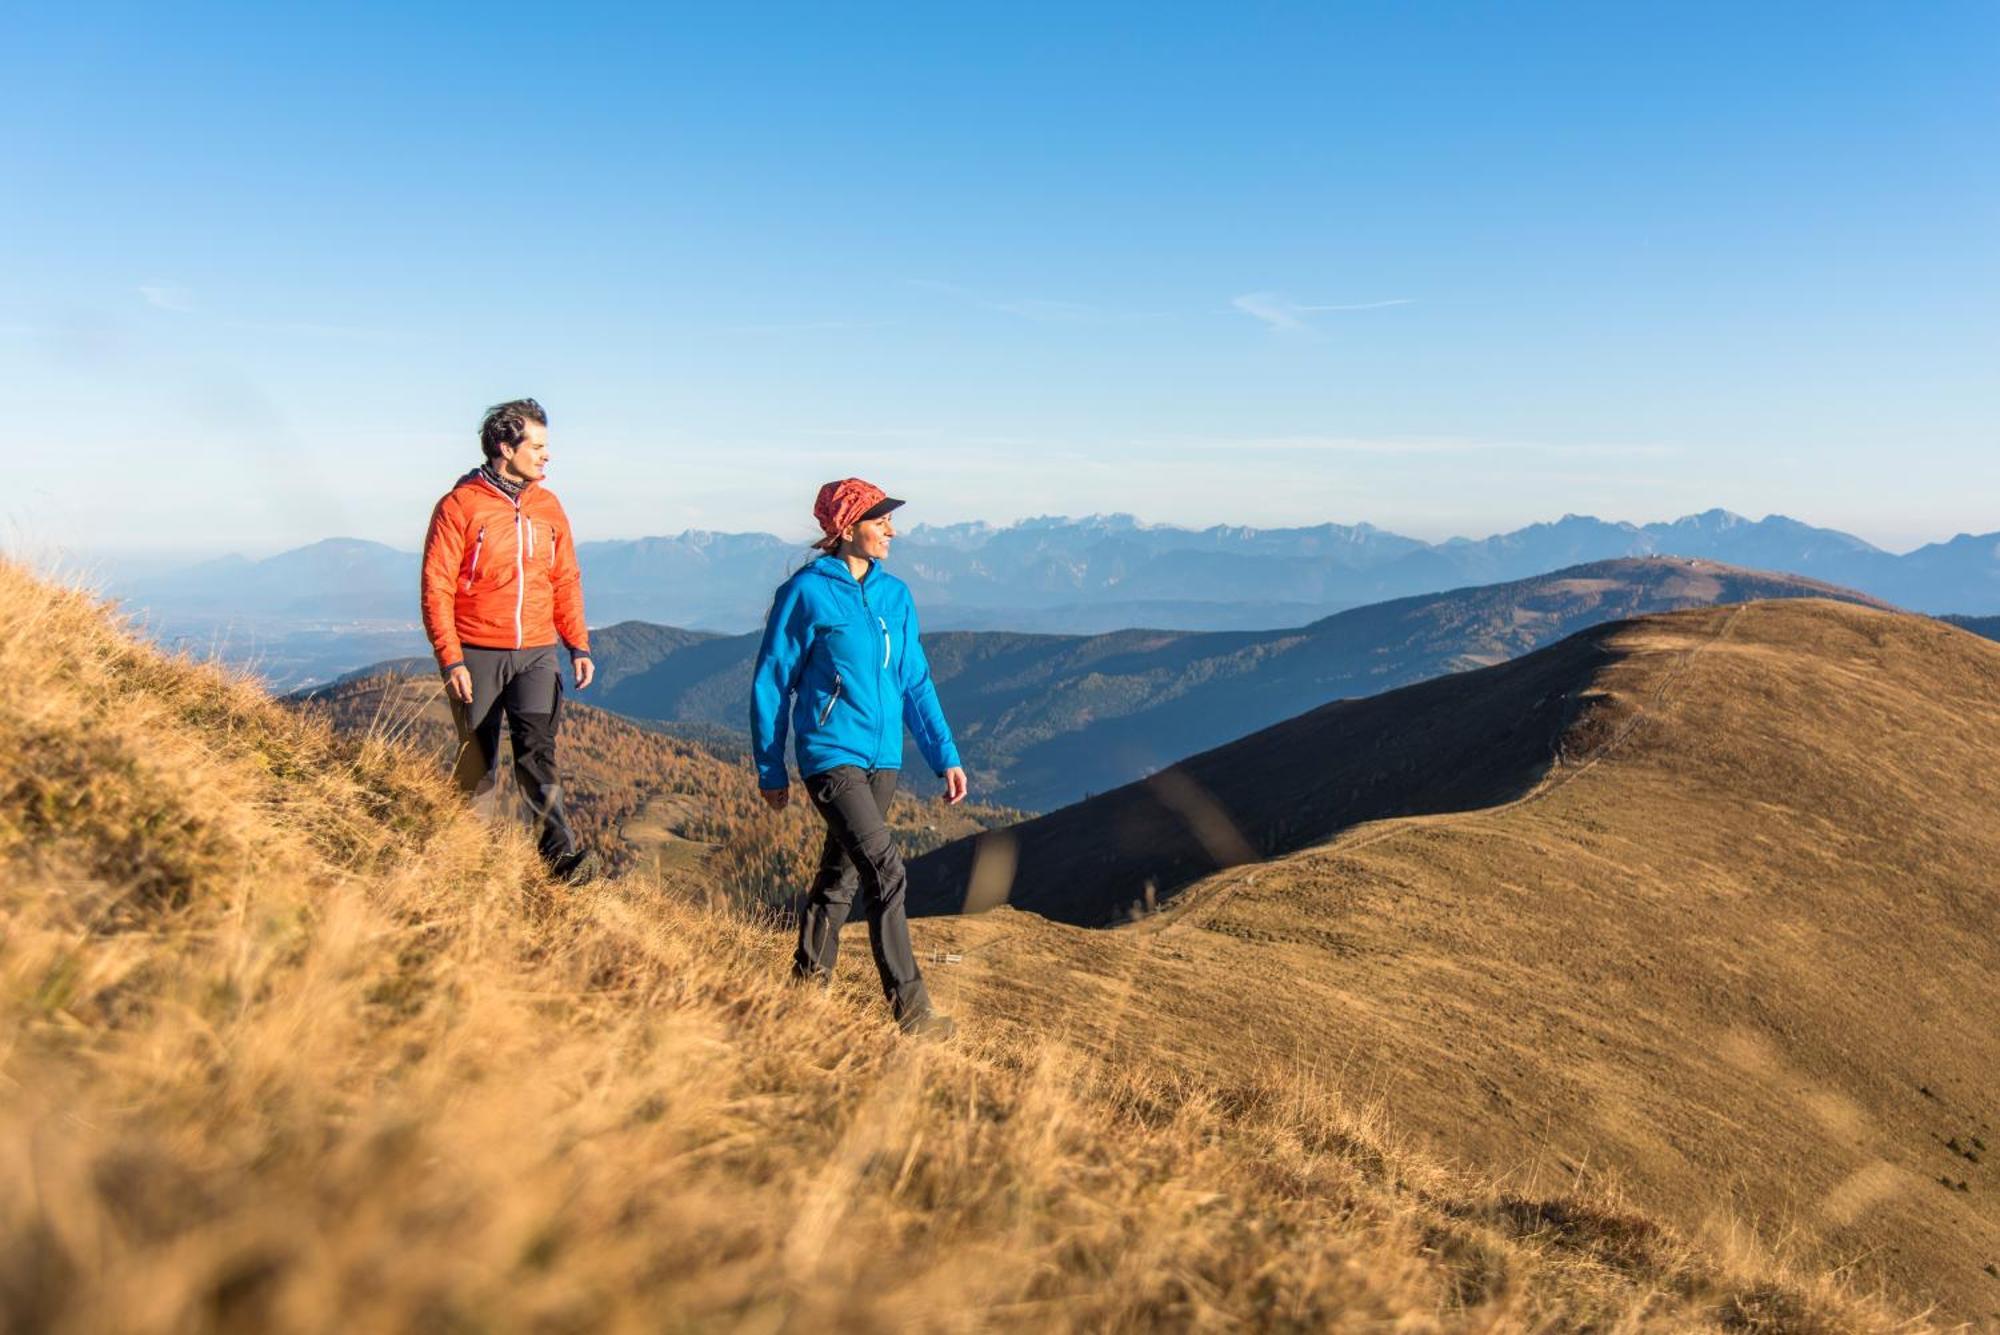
(289, 1042)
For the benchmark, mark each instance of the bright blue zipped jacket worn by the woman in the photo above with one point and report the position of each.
(847, 657)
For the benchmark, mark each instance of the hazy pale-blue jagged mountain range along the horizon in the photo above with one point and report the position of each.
(1075, 577)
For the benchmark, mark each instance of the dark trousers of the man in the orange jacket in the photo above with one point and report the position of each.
(525, 686)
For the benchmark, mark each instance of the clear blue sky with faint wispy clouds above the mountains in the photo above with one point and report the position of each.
(1447, 269)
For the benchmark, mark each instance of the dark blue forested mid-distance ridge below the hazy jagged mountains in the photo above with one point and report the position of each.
(1045, 720)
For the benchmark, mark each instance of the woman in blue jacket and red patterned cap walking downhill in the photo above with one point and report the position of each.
(843, 667)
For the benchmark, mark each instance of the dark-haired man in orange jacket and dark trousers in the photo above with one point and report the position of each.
(501, 587)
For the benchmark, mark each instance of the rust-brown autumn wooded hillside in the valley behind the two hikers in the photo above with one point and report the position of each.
(647, 800)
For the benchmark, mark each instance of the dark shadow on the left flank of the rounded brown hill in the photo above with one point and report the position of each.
(1453, 744)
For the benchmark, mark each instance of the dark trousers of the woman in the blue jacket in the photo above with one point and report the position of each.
(859, 856)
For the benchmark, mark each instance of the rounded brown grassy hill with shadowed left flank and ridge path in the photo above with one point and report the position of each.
(1699, 902)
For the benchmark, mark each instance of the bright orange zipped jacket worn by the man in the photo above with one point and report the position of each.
(501, 575)
